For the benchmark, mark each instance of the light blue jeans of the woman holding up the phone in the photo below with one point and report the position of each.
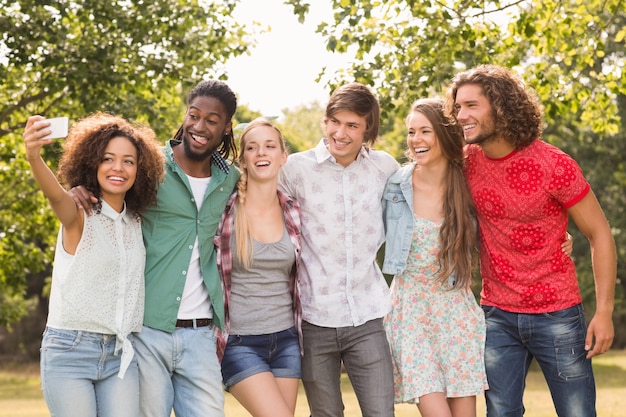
(79, 376)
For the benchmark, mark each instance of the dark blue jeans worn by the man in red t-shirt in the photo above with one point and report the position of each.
(557, 341)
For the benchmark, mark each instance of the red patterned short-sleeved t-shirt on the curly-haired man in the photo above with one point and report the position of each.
(522, 201)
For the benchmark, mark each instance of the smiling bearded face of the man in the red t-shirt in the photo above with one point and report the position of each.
(475, 114)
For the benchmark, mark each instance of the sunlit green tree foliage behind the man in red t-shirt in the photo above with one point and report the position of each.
(571, 52)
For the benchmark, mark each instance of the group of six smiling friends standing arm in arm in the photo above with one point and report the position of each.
(202, 266)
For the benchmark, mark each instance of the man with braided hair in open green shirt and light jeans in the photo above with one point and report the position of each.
(176, 349)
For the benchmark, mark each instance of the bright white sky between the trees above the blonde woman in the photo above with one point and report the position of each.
(281, 70)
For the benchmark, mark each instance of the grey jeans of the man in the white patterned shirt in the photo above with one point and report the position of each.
(366, 356)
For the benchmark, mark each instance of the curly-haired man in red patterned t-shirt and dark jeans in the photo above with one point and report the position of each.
(525, 190)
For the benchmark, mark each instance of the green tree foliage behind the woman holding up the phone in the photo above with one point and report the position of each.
(128, 57)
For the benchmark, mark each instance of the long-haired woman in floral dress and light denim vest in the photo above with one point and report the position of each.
(436, 329)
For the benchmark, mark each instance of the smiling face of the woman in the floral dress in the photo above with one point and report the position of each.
(422, 141)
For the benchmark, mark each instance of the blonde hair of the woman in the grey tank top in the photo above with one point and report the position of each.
(243, 237)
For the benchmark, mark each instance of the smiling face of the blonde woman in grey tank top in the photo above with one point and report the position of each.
(263, 153)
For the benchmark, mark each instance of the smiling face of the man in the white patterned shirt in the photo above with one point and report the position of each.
(345, 132)
